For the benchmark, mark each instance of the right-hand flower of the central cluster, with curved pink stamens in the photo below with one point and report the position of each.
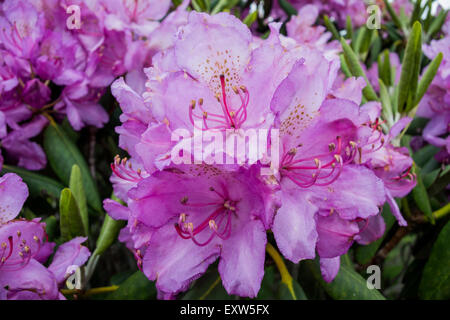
(322, 142)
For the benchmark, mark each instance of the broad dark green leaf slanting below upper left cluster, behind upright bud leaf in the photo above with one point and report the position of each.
(62, 154)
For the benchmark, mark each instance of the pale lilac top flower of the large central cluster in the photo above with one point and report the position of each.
(215, 77)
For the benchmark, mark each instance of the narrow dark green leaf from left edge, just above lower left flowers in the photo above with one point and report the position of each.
(38, 185)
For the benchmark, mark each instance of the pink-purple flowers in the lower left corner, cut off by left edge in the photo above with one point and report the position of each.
(23, 249)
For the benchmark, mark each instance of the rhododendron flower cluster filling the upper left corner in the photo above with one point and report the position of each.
(47, 68)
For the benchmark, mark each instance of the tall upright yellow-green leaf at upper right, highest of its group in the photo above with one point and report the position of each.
(409, 75)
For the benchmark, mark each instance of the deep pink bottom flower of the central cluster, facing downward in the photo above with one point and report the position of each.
(200, 214)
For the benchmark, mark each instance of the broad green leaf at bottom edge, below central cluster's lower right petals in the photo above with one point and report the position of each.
(348, 284)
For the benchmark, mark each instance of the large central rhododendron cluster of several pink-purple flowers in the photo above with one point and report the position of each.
(329, 187)
